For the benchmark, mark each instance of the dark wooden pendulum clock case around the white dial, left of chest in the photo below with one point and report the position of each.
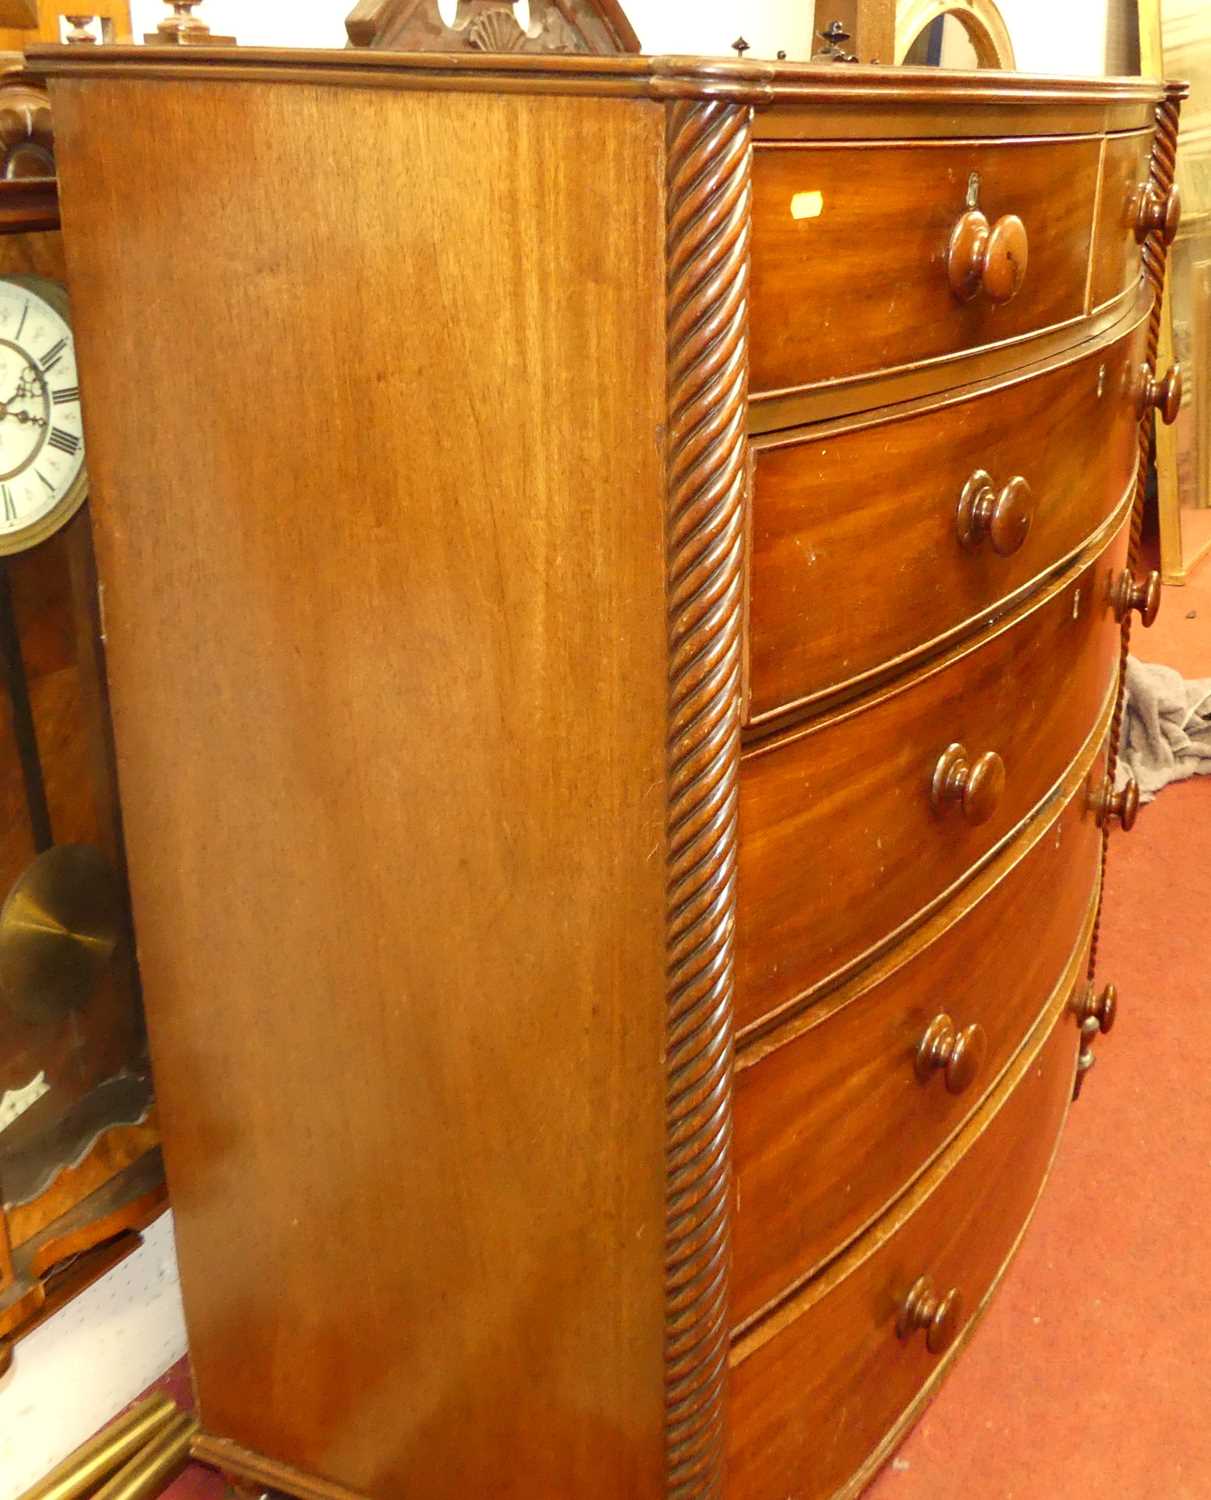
(80, 1168)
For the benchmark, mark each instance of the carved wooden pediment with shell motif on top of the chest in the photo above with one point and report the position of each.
(491, 26)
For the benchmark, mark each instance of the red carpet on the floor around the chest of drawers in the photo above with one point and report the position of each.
(1090, 1375)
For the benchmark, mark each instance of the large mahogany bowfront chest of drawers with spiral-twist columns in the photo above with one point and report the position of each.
(616, 620)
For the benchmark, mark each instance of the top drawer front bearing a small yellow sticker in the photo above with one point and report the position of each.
(852, 251)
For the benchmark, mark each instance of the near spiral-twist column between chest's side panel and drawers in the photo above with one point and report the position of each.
(709, 188)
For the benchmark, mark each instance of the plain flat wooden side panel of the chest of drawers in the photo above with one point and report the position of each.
(386, 604)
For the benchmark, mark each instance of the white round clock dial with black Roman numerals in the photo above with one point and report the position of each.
(41, 431)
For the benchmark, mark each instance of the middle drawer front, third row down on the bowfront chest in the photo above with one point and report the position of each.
(840, 839)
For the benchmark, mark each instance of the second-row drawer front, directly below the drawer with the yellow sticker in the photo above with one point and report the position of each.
(865, 551)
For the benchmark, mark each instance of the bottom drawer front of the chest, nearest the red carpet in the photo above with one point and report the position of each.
(814, 1402)
